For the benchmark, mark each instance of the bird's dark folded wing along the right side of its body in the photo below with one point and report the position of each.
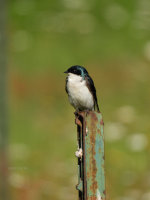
(91, 87)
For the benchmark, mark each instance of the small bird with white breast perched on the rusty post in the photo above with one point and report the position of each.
(80, 89)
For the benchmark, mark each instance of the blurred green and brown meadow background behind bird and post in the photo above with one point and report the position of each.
(112, 40)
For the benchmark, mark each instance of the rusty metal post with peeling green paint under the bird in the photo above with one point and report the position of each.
(91, 182)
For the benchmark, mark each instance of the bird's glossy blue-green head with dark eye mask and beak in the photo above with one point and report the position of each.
(77, 70)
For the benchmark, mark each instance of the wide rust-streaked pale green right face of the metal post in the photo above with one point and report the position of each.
(94, 153)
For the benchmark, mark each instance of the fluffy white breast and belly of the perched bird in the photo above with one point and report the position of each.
(79, 95)
